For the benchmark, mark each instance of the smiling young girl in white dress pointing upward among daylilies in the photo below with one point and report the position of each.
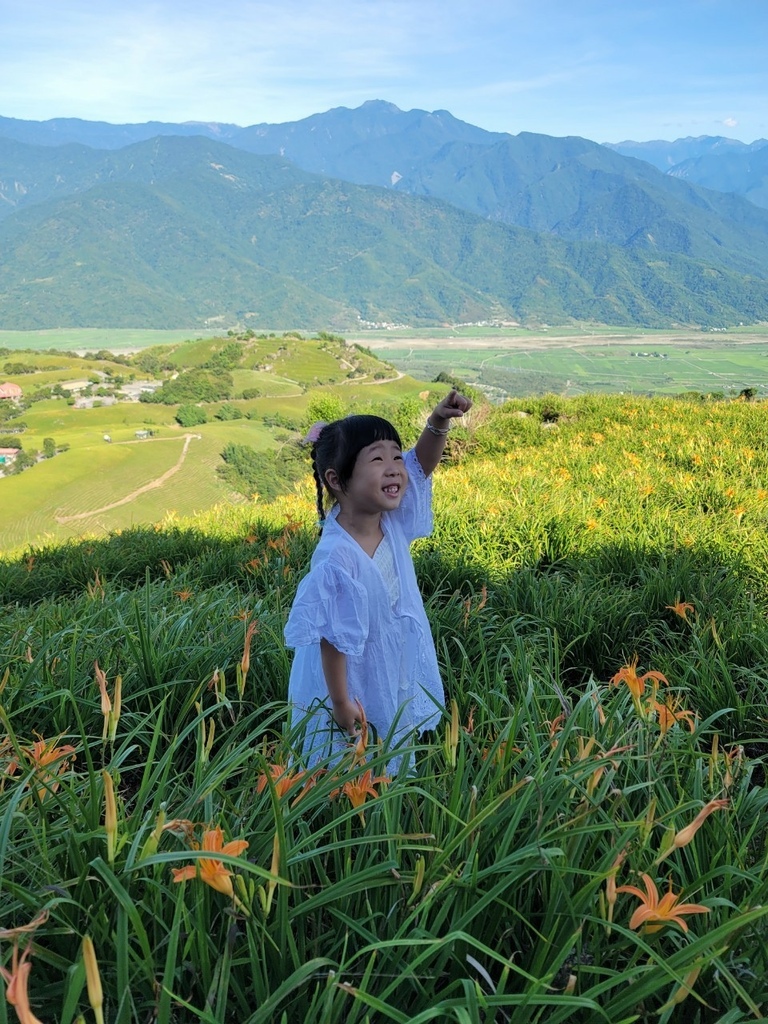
(358, 623)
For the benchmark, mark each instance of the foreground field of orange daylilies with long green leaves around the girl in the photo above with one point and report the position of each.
(583, 839)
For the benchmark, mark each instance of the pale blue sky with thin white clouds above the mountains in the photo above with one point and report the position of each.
(608, 70)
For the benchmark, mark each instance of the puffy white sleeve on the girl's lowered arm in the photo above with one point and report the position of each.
(330, 605)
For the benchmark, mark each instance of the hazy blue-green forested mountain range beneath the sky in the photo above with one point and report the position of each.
(373, 216)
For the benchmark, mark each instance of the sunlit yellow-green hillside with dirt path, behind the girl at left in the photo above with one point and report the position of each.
(94, 487)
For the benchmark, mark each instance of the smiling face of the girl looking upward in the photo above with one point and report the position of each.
(378, 482)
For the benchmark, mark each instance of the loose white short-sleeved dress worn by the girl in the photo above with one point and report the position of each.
(371, 611)
